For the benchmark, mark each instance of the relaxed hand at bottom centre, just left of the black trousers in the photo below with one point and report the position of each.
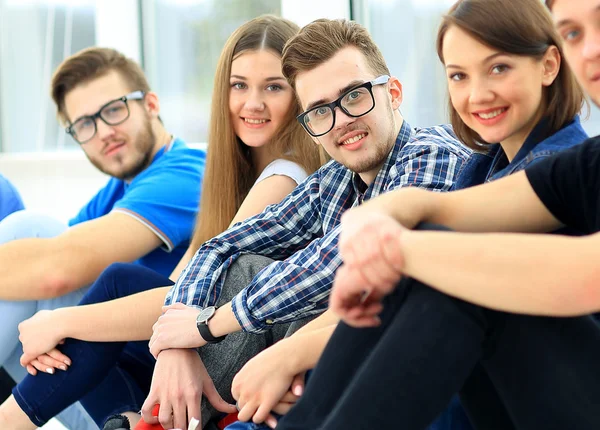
(268, 382)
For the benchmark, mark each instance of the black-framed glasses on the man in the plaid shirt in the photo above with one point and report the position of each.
(356, 102)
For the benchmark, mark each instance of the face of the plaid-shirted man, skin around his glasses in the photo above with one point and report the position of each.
(361, 144)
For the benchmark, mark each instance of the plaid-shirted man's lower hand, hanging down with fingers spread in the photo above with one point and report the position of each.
(178, 383)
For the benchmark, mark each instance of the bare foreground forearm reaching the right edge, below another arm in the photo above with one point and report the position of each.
(532, 274)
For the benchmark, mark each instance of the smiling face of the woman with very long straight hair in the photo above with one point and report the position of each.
(259, 97)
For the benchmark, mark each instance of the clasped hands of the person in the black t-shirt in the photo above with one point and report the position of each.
(370, 246)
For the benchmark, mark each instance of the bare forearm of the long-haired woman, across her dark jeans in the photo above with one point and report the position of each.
(126, 319)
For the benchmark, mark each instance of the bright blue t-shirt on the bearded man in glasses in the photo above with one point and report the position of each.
(164, 197)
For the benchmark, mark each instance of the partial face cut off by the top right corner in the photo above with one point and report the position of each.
(577, 22)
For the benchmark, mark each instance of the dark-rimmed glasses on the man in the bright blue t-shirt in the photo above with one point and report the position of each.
(114, 112)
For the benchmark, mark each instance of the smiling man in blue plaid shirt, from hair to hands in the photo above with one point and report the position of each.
(351, 107)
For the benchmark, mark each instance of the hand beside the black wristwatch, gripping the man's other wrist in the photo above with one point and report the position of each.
(176, 328)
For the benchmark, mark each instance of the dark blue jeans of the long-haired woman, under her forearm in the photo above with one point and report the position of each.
(107, 377)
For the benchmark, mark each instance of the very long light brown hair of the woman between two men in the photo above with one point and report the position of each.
(229, 172)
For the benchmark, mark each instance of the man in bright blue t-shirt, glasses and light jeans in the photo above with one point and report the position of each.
(144, 214)
